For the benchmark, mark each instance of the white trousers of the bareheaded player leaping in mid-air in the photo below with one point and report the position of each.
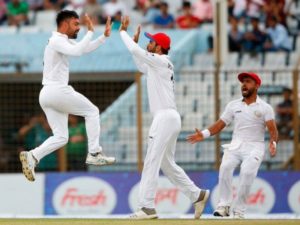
(58, 102)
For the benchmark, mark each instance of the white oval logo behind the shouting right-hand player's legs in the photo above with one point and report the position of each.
(260, 200)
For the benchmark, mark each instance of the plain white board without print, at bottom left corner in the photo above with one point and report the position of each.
(18, 196)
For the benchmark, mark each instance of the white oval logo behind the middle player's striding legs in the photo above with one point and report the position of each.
(169, 199)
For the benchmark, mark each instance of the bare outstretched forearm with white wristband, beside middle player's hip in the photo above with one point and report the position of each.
(201, 135)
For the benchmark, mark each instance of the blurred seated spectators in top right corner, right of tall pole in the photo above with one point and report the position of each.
(265, 25)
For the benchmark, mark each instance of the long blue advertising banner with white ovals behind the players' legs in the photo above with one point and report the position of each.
(118, 193)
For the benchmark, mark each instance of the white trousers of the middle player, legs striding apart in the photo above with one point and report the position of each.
(163, 134)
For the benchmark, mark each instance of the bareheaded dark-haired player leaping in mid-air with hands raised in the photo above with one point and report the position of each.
(58, 99)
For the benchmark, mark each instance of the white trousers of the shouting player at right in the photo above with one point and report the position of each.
(249, 155)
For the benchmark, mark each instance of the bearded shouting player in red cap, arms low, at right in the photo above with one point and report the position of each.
(250, 116)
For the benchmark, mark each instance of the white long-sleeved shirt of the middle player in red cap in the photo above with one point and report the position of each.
(160, 75)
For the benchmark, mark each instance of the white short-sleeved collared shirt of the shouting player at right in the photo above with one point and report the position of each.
(249, 120)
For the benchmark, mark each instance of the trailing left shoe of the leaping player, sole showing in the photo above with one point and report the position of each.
(28, 165)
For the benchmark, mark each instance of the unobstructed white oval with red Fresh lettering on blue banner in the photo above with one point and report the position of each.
(84, 196)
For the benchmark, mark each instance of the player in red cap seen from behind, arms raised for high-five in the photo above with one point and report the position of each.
(166, 124)
